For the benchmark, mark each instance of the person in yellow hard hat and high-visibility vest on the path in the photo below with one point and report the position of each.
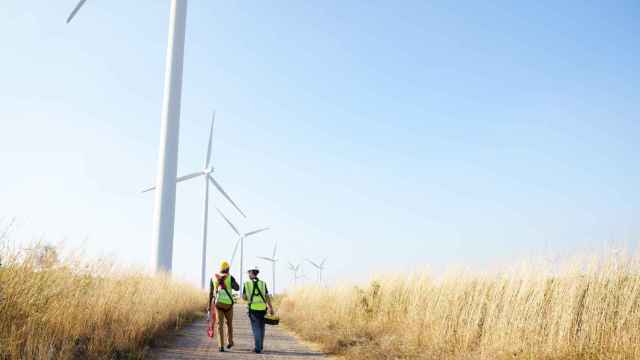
(221, 288)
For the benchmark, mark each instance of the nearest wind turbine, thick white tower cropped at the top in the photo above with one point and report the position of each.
(164, 211)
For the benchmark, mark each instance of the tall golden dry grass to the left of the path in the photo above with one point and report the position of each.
(51, 309)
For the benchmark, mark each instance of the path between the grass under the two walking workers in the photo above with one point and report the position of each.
(192, 342)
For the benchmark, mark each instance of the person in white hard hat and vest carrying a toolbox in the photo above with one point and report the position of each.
(257, 296)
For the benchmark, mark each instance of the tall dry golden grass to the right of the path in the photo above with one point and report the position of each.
(588, 311)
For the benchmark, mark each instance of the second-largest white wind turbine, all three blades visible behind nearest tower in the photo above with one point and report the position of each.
(206, 172)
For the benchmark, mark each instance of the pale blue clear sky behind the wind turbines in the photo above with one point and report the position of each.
(385, 136)
